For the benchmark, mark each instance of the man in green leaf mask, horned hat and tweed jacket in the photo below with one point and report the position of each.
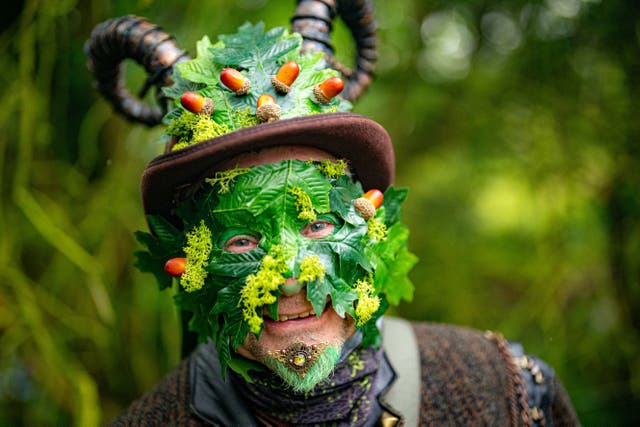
(274, 214)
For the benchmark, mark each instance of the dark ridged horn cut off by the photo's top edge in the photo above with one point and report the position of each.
(313, 20)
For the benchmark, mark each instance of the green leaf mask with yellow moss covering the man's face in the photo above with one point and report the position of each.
(249, 230)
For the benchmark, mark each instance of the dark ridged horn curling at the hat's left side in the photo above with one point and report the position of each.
(132, 37)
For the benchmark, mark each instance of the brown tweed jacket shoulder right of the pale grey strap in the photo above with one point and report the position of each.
(470, 375)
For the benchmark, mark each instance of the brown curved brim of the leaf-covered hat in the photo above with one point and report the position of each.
(364, 143)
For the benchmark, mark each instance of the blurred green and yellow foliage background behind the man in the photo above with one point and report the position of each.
(516, 127)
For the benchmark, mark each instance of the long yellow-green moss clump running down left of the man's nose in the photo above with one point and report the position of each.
(260, 287)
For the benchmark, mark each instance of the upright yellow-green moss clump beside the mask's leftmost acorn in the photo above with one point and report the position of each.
(197, 250)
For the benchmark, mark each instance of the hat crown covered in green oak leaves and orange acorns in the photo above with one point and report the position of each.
(240, 71)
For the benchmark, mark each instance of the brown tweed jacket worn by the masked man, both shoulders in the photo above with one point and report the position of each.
(467, 378)
